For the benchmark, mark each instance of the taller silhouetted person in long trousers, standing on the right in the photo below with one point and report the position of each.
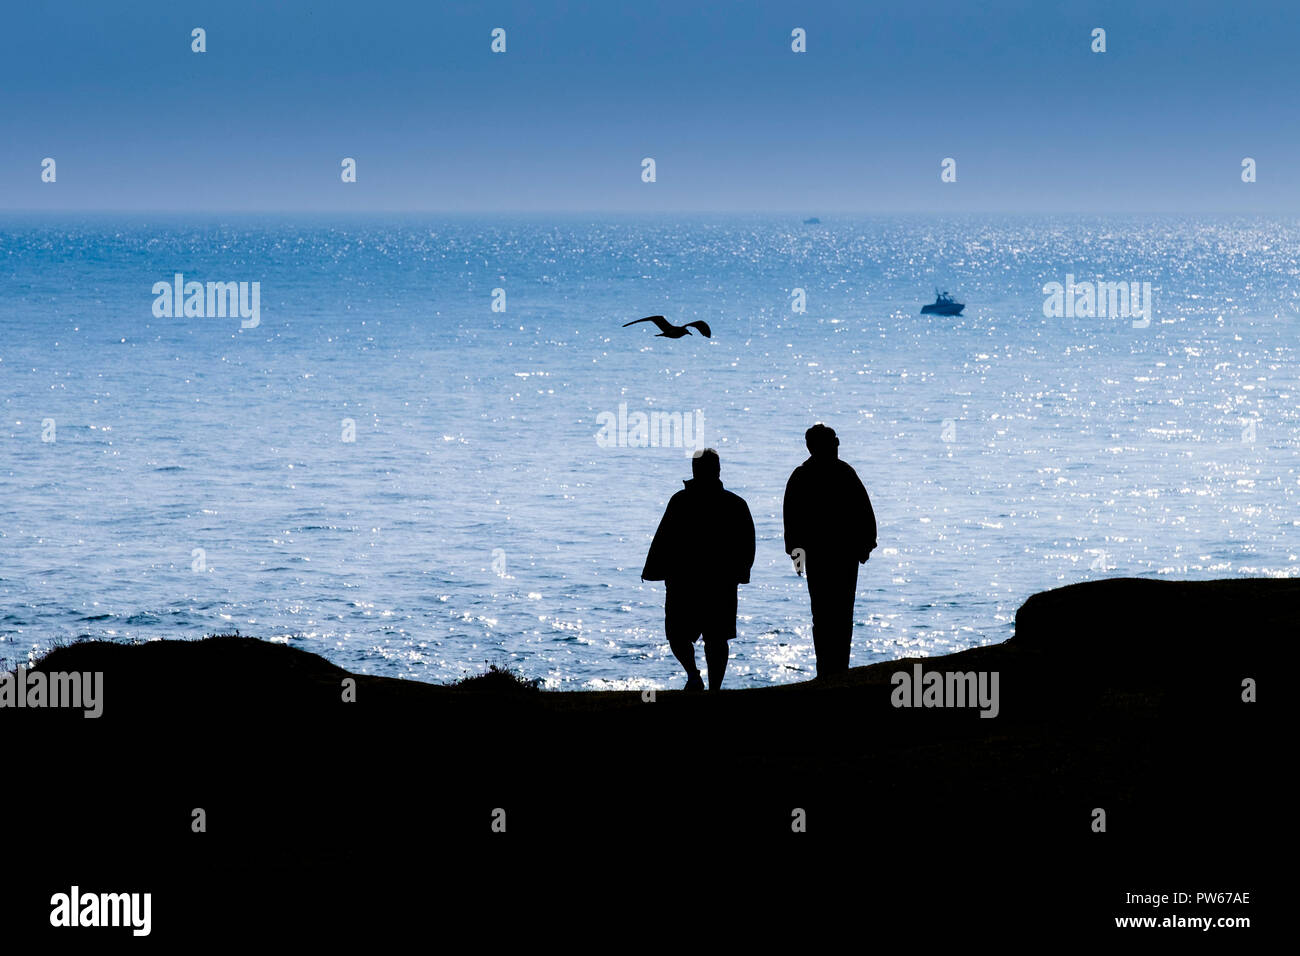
(829, 518)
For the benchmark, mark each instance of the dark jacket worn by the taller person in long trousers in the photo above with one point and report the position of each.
(827, 512)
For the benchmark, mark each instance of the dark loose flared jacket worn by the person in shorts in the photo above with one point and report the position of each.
(707, 538)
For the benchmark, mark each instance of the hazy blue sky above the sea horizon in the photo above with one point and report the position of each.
(735, 120)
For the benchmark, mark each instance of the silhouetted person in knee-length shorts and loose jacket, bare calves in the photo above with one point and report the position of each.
(703, 551)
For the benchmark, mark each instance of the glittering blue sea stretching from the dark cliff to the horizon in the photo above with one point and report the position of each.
(408, 462)
